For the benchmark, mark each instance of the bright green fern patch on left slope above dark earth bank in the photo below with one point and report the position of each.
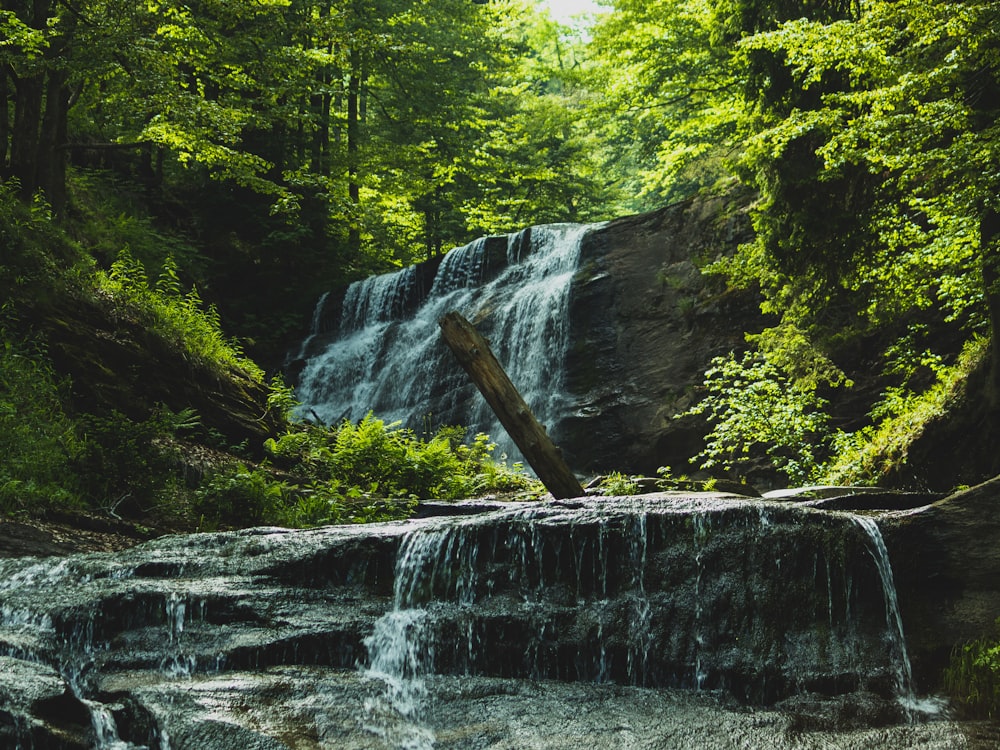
(181, 319)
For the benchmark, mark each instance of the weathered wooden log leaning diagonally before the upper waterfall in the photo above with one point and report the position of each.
(474, 354)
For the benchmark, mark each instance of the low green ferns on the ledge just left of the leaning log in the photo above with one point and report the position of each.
(352, 474)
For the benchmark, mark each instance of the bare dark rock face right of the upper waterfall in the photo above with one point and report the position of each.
(645, 323)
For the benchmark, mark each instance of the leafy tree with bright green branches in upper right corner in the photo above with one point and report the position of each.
(913, 122)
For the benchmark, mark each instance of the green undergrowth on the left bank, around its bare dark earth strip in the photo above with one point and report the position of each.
(168, 466)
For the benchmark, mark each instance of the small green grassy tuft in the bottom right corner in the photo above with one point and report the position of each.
(972, 679)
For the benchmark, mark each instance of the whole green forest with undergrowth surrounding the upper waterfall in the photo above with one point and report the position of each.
(204, 171)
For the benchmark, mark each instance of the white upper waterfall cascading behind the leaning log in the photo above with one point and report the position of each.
(386, 355)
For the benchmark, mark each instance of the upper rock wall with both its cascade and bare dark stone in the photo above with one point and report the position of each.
(604, 329)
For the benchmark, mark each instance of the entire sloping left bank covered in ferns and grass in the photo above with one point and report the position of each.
(171, 465)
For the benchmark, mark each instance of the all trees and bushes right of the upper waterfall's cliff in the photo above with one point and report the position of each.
(870, 133)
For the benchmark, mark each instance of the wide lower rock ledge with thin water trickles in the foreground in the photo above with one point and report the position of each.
(442, 631)
